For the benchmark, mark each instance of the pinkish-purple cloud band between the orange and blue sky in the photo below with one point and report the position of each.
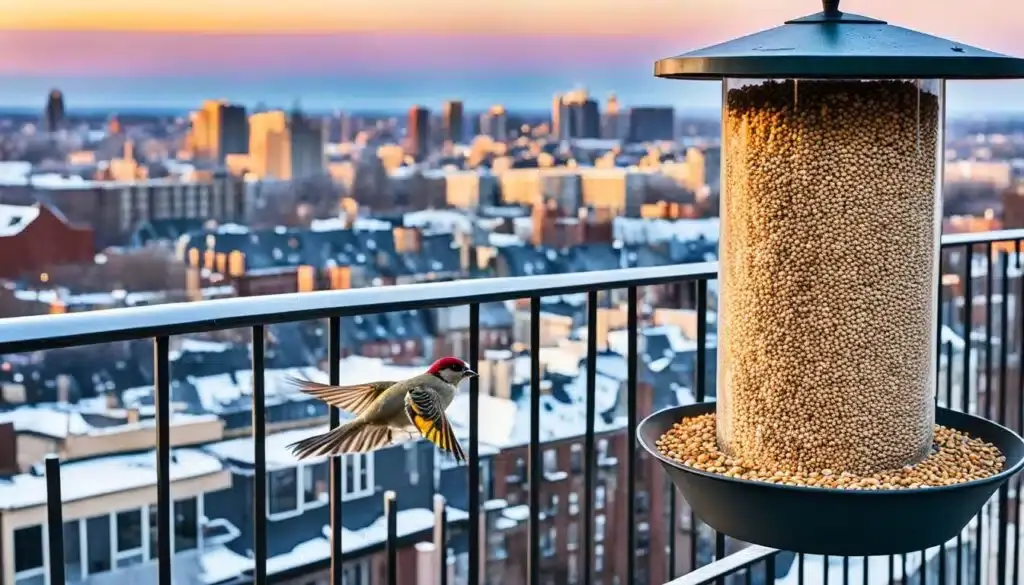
(116, 55)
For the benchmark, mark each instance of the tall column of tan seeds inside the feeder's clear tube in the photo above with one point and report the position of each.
(828, 255)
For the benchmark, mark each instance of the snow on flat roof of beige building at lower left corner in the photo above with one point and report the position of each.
(90, 479)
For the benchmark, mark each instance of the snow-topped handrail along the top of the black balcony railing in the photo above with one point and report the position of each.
(48, 332)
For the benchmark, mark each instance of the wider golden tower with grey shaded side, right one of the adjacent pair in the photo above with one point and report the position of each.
(285, 146)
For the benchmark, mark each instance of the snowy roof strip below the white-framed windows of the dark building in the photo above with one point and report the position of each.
(221, 564)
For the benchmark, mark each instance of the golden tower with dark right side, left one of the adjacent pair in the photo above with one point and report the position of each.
(220, 130)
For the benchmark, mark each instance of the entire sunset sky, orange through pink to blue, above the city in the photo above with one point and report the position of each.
(391, 54)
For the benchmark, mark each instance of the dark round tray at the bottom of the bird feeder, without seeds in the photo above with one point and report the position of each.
(819, 521)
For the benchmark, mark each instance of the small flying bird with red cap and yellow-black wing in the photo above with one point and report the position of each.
(412, 406)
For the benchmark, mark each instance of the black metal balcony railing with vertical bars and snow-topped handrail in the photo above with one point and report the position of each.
(1000, 256)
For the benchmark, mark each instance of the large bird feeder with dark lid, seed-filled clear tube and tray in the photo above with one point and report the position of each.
(832, 211)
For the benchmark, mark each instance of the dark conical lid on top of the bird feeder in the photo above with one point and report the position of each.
(832, 45)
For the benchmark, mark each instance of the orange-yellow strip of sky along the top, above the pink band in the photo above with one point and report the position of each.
(969, 21)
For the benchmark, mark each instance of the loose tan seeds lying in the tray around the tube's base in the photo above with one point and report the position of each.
(955, 458)
